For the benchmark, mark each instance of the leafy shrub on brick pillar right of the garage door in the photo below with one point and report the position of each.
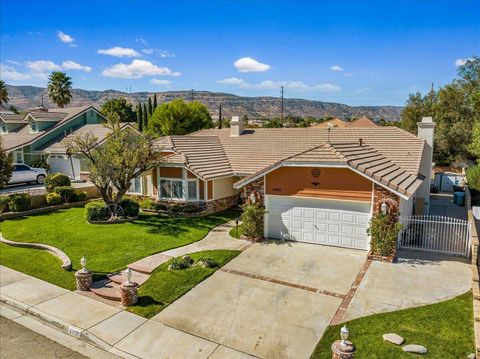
(384, 230)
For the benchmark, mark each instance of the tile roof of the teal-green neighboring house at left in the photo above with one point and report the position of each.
(22, 136)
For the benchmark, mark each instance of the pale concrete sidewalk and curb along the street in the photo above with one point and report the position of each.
(93, 328)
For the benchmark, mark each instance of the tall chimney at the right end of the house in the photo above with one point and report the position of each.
(426, 131)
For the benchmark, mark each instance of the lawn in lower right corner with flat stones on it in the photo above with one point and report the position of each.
(445, 329)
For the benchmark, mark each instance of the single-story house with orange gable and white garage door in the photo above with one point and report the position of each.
(317, 185)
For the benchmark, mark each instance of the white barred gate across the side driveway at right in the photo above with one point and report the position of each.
(435, 234)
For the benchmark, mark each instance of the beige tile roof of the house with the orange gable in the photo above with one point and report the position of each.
(389, 155)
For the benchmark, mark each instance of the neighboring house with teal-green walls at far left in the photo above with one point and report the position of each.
(35, 137)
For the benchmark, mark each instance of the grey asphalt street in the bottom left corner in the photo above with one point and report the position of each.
(19, 342)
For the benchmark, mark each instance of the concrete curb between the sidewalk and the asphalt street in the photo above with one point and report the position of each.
(56, 323)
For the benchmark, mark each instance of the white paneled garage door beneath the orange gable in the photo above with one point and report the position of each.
(334, 223)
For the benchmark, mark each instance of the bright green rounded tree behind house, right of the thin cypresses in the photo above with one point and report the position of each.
(179, 118)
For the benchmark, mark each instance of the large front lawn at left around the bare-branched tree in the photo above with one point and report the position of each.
(107, 247)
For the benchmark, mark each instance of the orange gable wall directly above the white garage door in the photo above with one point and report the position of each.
(319, 182)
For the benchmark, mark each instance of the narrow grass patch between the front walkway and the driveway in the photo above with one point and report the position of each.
(164, 286)
